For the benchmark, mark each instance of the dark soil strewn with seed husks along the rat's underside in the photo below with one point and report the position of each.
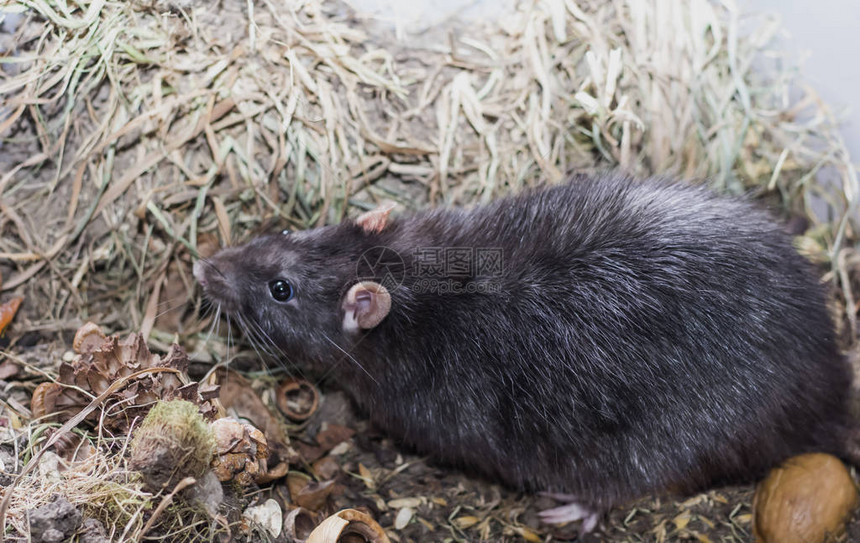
(450, 505)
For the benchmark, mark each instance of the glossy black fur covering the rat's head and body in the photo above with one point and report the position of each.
(644, 336)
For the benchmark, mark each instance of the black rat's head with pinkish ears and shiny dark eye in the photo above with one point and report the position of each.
(298, 291)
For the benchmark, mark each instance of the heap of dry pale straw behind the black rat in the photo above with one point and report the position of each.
(134, 135)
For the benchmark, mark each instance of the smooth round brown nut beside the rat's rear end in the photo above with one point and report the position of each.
(805, 500)
